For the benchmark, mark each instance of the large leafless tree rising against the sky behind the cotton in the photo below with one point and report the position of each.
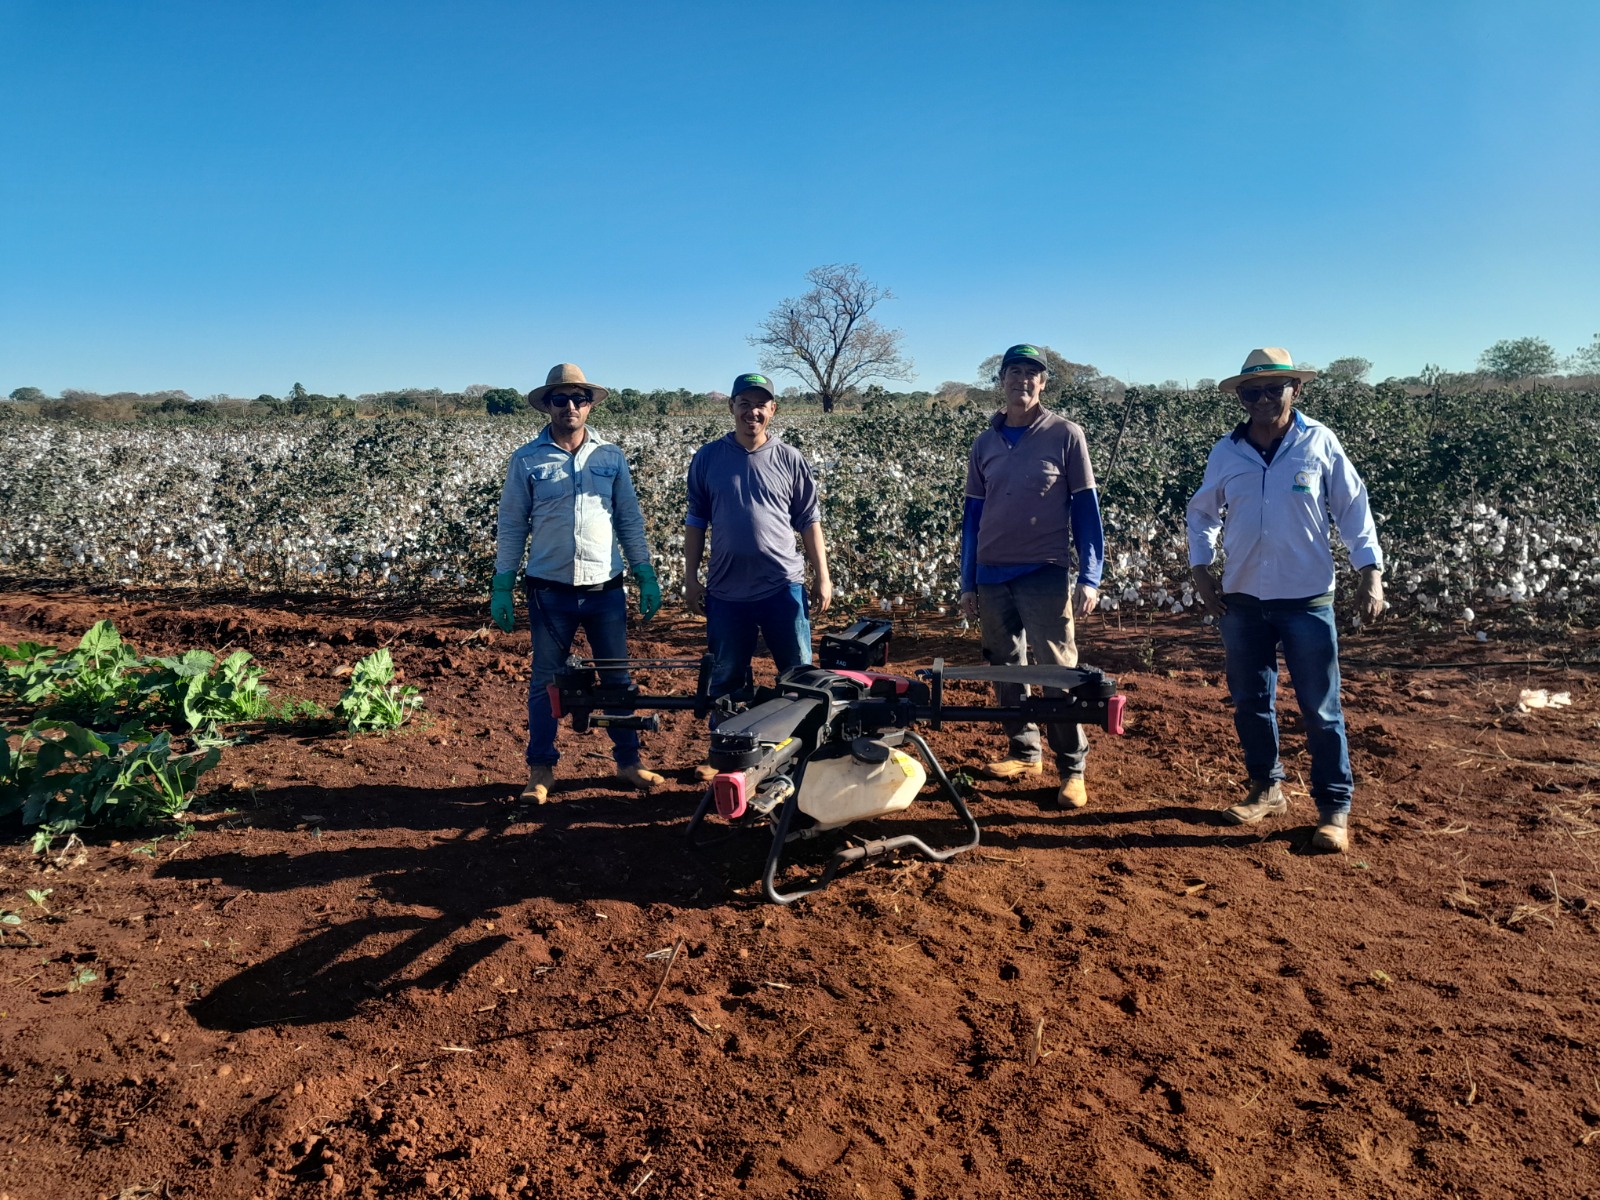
(830, 340)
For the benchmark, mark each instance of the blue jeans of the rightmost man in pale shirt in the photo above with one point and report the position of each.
(1311, 652)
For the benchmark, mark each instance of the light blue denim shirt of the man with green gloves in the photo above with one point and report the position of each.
(580, 511)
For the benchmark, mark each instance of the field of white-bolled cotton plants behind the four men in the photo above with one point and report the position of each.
(1478, 505)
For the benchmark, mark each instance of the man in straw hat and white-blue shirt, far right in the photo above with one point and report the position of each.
(1274, 489)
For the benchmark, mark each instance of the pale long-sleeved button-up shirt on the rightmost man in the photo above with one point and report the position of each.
(1274, 519)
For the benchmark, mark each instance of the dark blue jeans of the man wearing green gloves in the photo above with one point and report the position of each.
(556, 620)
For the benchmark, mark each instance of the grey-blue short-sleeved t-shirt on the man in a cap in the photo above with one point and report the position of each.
(754, 502)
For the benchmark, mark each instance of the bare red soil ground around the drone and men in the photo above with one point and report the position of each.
(366, 974)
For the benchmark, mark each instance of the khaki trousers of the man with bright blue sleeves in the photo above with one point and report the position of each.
(1030, 620)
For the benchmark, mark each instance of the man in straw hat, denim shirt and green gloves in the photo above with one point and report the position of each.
(570, 492)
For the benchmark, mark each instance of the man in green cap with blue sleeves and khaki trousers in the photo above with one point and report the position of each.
(1031, 503)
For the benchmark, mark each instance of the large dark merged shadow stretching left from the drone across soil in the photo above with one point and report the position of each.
(446, 897)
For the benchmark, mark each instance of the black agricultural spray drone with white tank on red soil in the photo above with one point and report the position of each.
(825, 746)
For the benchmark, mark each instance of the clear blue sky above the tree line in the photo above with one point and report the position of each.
(230, 198)
